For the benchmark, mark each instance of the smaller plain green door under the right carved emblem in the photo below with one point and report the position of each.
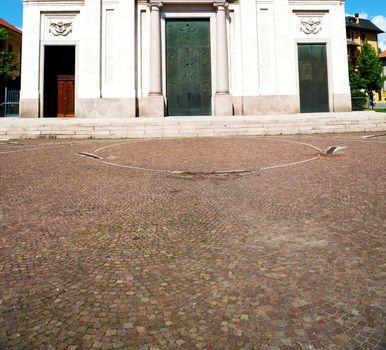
(313, 80)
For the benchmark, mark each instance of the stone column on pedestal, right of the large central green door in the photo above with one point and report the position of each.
(223, 98)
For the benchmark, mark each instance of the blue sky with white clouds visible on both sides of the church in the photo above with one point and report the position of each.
(374, 10)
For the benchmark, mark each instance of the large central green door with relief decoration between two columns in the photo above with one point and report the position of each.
(188, 67)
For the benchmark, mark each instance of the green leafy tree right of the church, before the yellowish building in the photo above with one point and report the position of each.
(370, 70)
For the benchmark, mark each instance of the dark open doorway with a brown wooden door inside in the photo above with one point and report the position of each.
(59, 81)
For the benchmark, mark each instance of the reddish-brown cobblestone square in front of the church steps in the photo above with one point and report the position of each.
(98, 254)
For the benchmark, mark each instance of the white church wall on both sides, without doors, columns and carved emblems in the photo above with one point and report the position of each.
(112, 40)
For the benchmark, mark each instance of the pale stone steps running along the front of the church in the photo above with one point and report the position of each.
(193, 126)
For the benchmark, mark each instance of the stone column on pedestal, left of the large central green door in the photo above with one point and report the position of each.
(155, 101)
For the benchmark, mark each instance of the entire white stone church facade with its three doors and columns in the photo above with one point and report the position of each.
(155, 58)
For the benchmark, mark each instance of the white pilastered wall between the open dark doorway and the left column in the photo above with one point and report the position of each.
(106, 81)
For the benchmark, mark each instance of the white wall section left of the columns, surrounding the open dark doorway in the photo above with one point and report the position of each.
(103, 33)
